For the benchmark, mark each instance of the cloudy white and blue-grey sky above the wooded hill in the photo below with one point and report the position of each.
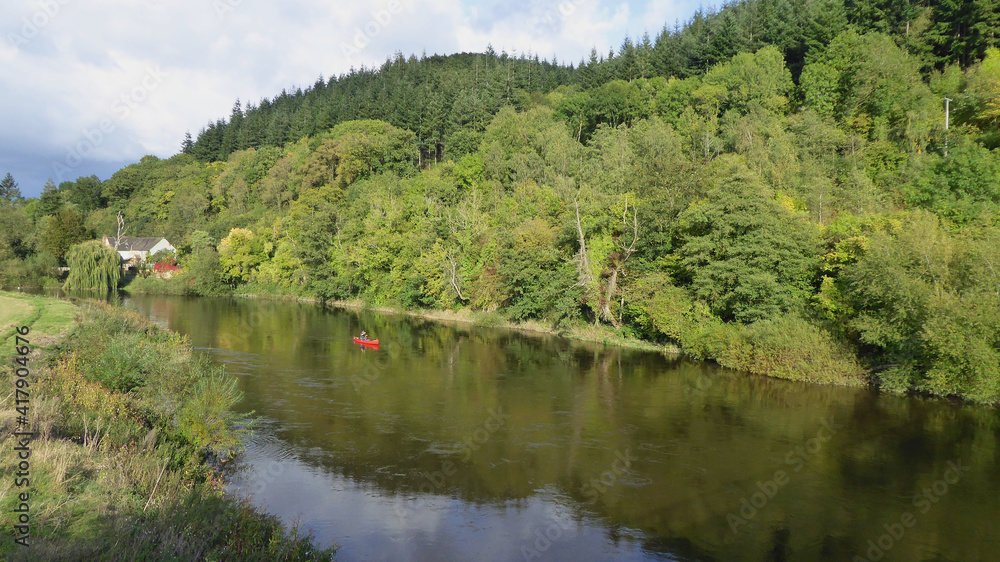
(90, 86)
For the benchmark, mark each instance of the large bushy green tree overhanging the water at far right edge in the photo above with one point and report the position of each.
(927, 299)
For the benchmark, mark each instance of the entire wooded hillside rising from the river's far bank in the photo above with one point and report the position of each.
(772, 186)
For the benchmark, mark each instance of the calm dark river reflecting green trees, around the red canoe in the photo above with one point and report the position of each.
(453, 442)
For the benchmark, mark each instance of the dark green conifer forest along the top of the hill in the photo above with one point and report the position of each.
(445, 100)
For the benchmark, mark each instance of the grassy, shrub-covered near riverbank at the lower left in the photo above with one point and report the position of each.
(128, 426)
